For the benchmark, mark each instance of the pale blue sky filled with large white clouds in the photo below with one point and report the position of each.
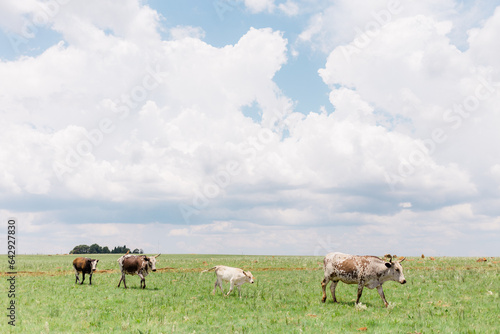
(252, 126)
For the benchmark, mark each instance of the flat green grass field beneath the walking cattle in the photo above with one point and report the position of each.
(445, 295)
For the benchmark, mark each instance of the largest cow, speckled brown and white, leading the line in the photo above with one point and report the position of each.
(369, 271)
